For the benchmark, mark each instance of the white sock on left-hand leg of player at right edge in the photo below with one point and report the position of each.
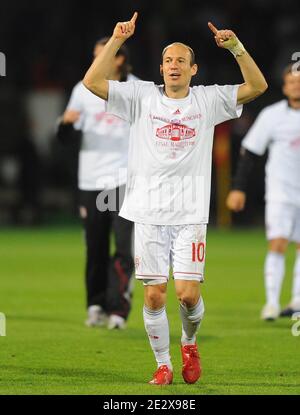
(274, 273)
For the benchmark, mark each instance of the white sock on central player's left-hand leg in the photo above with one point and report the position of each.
(157, 328)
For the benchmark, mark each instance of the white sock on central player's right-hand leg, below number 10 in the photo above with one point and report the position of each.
(191, 319)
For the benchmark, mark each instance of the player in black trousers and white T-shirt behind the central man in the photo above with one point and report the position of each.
(103, 167)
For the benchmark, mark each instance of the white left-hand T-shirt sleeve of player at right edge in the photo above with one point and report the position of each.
(259, 136)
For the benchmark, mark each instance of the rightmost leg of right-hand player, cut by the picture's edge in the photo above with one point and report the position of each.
(294, 305)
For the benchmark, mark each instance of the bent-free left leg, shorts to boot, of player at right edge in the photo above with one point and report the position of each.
(278, 230)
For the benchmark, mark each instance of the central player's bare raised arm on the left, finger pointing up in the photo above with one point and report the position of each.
(95, 78)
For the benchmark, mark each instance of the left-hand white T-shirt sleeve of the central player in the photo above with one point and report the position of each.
(121, 97)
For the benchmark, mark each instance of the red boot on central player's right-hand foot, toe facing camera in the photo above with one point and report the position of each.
(191, 369)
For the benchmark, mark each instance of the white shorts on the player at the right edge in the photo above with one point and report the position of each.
(282, 221)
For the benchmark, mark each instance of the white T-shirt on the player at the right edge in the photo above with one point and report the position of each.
(277, 128)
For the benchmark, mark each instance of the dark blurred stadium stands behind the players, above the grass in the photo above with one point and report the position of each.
(48, 46)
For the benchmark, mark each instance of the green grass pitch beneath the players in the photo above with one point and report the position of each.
(48, 350)
